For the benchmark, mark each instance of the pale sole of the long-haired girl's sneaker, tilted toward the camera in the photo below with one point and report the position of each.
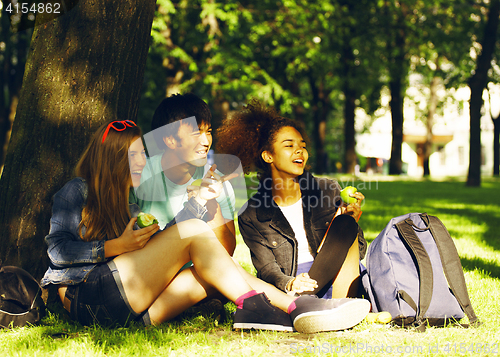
(346, 316)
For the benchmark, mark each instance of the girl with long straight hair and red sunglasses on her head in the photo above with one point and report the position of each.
(108, 273)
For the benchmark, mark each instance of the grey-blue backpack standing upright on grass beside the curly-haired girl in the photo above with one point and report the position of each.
(414, 272)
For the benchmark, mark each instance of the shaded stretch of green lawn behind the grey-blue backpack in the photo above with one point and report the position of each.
(451, 201)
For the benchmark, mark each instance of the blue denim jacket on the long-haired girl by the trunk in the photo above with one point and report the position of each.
(72, 258)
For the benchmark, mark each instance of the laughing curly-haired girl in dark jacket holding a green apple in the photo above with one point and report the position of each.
(285, 223)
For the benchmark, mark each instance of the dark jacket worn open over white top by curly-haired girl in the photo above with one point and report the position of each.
(272, 243)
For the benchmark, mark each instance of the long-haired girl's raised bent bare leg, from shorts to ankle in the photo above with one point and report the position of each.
(146, 273)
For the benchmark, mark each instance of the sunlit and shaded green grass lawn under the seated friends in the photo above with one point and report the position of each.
(472, 215)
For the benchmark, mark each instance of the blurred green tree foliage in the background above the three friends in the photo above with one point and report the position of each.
(318, 62)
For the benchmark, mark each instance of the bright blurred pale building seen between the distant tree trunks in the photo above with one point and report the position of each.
(450, 148)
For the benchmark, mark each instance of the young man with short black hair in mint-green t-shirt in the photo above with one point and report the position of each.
(181, 129)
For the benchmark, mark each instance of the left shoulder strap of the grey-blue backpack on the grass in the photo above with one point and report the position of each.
(424, 268)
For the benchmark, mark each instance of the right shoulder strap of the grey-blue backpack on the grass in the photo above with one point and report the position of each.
(452, 266)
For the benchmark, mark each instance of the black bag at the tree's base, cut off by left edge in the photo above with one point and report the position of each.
(20, 298)
